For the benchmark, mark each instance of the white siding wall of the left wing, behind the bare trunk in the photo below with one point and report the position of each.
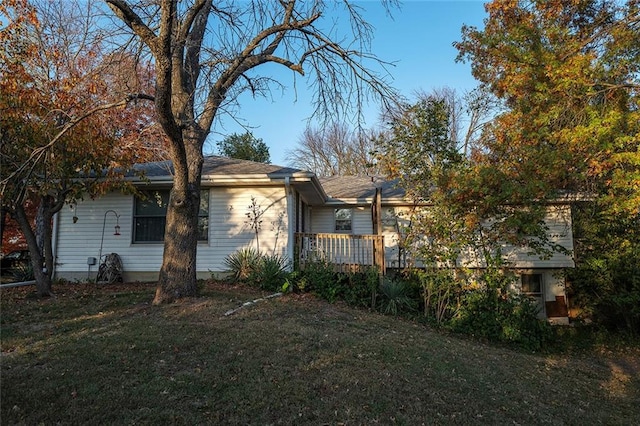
(228, 232)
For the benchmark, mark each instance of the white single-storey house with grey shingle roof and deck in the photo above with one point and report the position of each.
(349, 220)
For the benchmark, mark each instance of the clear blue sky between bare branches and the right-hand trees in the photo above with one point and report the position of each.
(417, 38)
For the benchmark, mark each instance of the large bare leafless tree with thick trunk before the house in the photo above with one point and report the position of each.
(206, 53)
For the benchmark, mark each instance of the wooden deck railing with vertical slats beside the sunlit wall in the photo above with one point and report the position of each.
(346, 252)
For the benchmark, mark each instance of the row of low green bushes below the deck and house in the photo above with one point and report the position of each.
(440, 297)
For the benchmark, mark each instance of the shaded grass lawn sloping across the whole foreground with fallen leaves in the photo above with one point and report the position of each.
(104, 355)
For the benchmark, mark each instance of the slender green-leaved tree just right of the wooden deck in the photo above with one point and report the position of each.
(421, 155)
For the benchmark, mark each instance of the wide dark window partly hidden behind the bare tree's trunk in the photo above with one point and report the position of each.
(150, 216)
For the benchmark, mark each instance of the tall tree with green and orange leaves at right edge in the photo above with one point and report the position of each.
(569, 75)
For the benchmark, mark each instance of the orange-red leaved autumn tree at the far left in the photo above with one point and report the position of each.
(53, 81)
